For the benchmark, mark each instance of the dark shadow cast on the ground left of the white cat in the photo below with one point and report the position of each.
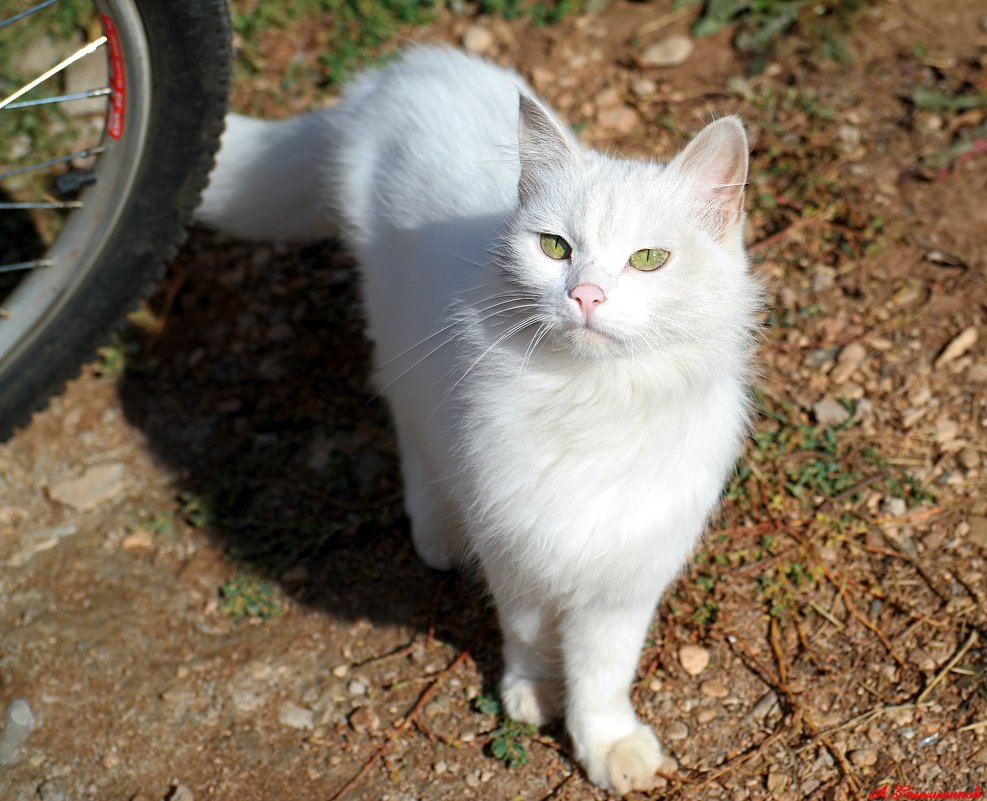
(250, 381)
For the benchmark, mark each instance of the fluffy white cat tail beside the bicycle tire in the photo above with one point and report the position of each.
(271, 180)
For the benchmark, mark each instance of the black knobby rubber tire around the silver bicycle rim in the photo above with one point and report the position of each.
(189, 45)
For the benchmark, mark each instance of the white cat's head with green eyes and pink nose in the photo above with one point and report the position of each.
(624, 256)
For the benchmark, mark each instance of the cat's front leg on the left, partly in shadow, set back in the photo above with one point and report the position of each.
(531, 687)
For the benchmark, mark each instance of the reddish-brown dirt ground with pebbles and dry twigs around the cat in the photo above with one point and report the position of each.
(206, 584)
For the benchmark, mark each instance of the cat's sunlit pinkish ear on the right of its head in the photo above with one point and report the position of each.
(715, 166)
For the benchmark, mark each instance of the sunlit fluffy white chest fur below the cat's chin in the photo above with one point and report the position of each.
(599, 469)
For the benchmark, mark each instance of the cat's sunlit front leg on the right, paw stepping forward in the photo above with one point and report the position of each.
(601, 645)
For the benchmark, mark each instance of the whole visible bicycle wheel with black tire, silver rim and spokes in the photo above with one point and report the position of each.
(85, 228)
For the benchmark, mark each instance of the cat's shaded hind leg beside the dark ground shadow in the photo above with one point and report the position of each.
(435, 530)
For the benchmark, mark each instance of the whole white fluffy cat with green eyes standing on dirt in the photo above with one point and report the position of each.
(563, 338)
